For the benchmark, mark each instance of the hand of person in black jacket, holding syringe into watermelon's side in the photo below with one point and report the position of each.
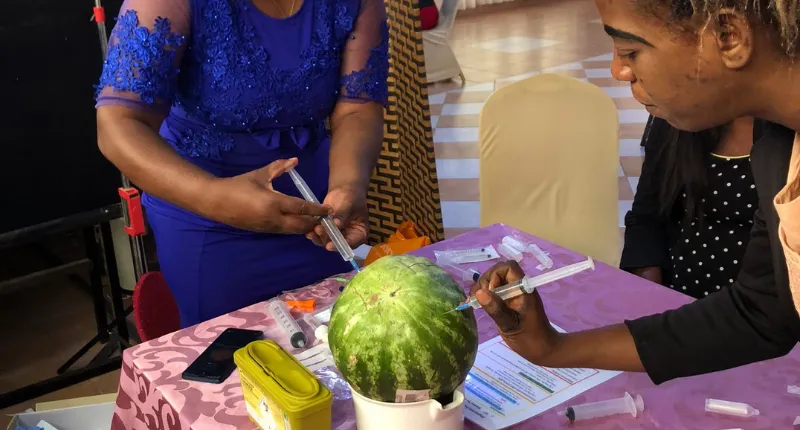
(521, 320)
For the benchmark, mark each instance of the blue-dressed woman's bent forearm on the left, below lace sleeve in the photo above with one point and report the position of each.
(130, 142)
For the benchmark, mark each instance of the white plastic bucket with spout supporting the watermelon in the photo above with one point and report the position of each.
(424, 415)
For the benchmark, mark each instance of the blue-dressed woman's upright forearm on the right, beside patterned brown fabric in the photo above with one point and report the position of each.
(356, 142)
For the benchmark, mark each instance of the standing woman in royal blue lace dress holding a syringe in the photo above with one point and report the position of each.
(204, 104)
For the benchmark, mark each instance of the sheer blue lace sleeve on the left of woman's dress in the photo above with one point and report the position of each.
(144, 54)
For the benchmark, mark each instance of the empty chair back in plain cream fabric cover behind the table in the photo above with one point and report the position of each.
(549, 159)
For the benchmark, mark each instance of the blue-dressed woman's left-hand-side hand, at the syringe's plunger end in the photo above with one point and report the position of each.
(249, 202)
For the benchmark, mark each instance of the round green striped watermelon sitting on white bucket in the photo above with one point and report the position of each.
(393, 330)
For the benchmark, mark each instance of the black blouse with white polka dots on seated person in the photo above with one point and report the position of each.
(708, 252)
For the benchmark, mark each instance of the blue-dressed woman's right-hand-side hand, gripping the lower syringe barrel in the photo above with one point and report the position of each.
(350, 214)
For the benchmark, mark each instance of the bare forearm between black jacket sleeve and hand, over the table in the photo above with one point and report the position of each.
(609, 348)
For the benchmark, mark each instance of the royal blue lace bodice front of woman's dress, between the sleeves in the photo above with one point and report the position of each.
(237, 84)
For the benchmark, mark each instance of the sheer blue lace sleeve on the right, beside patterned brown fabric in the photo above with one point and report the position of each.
(365, 63)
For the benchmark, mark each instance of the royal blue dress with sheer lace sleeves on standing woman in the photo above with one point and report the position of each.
(240, 89)
